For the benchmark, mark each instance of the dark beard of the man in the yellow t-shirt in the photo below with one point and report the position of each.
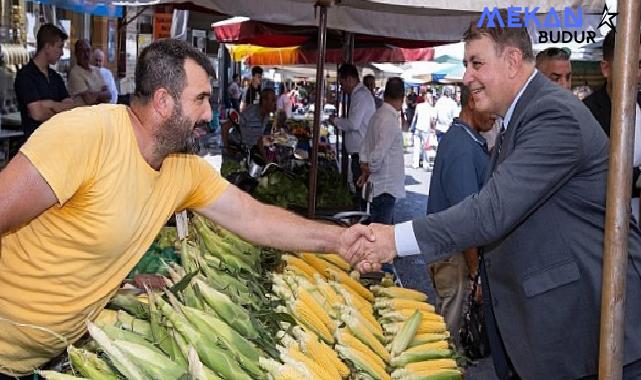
(176, 135)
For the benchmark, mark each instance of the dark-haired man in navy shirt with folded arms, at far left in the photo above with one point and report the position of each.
(40, 90)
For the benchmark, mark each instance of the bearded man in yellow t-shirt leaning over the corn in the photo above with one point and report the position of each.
(90, 190)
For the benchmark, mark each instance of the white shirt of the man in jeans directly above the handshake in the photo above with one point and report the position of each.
(382, 150)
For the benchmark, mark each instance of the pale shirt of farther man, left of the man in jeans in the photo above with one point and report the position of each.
(361, 109)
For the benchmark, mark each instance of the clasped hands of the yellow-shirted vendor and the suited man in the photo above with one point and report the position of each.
(368, 247)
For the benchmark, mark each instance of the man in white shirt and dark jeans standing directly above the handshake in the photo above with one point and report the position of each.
(382, 154)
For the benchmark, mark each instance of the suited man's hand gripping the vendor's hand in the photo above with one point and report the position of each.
(382, 250)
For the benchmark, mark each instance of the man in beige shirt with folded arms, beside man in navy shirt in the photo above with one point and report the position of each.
(85, 81)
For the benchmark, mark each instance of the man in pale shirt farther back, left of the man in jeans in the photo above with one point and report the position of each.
(361, 109)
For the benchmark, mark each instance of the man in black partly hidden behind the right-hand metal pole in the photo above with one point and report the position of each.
(599, 101)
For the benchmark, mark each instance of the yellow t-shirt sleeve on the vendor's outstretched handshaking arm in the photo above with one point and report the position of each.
(206, 187)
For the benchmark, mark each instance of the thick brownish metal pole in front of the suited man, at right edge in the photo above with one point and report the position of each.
(615, 257)
